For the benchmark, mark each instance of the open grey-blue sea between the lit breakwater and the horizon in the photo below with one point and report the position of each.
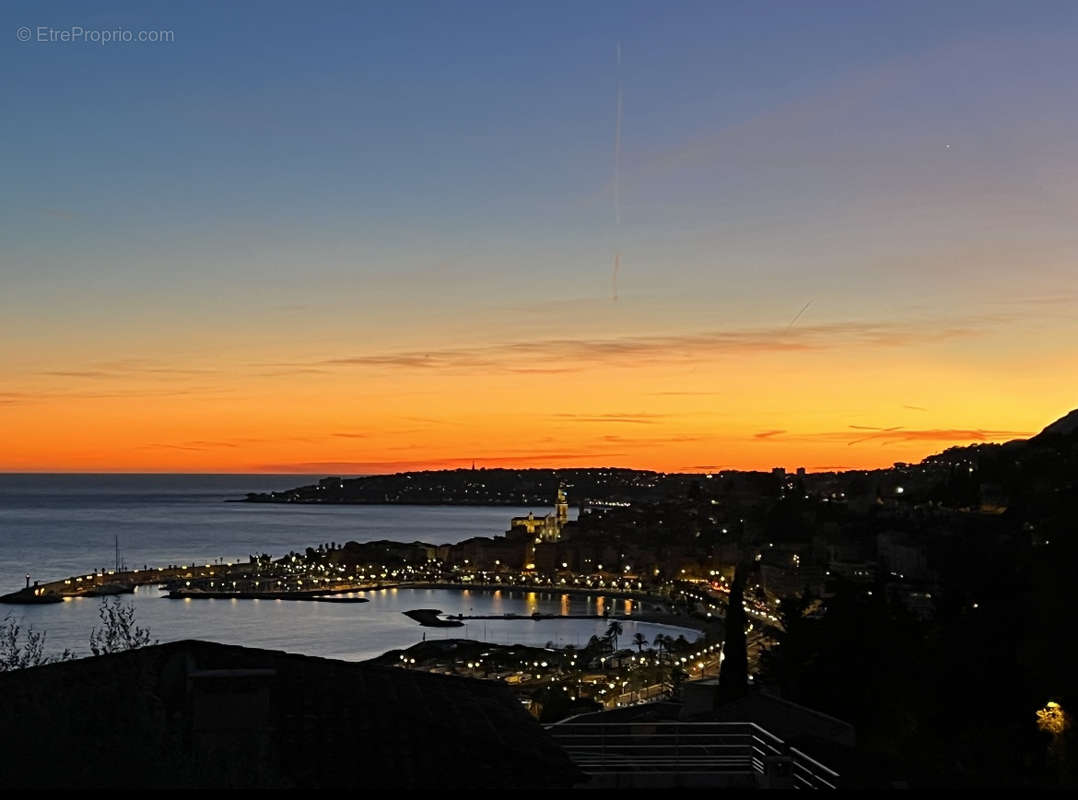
(54, 527)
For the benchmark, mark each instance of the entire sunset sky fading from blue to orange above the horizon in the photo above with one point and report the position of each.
(348, 239)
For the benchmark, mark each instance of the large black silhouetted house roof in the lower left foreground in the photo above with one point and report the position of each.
(199, 713)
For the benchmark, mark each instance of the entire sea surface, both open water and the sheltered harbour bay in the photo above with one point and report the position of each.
(54, 527)
